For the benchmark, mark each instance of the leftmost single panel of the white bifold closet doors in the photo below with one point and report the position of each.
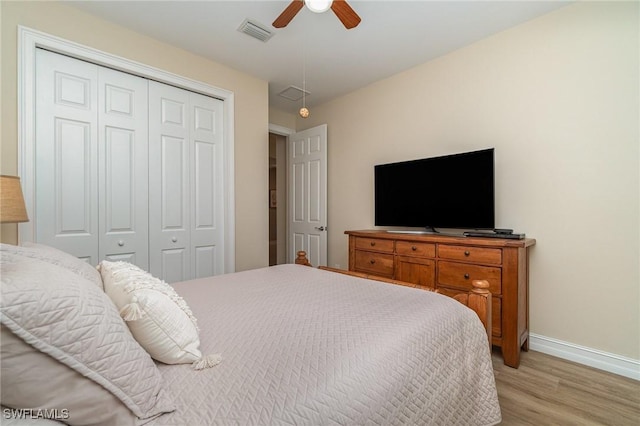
(66, 163)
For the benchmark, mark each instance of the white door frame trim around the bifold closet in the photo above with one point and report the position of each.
(29, 40)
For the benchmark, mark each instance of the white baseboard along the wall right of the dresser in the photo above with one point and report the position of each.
(592, 357)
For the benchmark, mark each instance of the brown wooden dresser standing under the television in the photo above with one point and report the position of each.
(449, 264)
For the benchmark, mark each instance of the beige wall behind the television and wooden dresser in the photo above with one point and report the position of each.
(558, 97)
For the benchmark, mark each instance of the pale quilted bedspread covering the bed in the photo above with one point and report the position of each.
(302, 346)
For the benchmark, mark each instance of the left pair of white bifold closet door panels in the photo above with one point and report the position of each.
(91, 160)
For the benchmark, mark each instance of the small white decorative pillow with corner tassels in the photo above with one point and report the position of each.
(159, 319)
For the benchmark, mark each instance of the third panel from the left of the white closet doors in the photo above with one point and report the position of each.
(169, 183)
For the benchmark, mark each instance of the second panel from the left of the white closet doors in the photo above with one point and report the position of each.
(123, 167)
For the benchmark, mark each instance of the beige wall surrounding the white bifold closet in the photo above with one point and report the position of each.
(251, 105)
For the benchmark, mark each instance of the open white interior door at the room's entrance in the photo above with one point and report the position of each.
(307, 166)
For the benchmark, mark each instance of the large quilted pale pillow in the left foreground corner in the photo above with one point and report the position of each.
(67, 317)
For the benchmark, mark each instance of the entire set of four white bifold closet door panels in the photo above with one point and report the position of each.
(128, 169)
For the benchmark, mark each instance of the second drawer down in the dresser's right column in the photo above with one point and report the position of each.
(460, 275)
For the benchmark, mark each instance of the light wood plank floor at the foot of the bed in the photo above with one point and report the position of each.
(546, 390)
